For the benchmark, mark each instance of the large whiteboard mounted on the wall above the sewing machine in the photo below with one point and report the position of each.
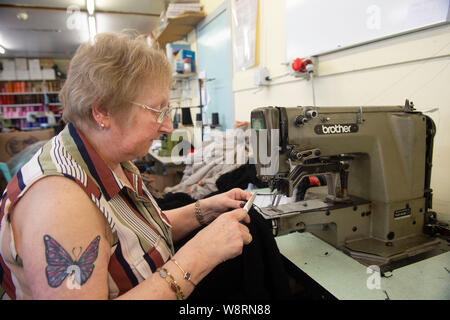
(315, 27)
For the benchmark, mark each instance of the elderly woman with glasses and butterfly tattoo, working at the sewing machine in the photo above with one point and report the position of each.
(77, 221)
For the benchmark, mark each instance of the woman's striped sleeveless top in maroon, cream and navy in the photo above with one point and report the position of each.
(141, 232)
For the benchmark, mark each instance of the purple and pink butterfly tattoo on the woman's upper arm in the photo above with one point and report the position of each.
(61, 264)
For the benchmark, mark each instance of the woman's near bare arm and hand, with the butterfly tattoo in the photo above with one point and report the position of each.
(56, 218)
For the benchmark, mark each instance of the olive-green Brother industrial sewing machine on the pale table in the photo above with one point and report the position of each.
(377, 164)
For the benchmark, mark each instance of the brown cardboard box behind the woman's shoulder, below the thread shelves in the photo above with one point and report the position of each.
(12, 143)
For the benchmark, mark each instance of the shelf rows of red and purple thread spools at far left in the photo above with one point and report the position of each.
(19, 98)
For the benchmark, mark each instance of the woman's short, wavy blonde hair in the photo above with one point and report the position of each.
(111, 72)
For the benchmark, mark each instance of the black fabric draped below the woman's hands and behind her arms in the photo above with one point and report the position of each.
(257, 274)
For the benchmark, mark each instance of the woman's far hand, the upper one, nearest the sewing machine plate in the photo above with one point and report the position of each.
(214, 206)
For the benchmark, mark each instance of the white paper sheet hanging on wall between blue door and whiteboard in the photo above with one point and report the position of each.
(244, 15)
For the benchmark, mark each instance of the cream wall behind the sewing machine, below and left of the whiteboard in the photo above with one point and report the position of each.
(413, 66)
